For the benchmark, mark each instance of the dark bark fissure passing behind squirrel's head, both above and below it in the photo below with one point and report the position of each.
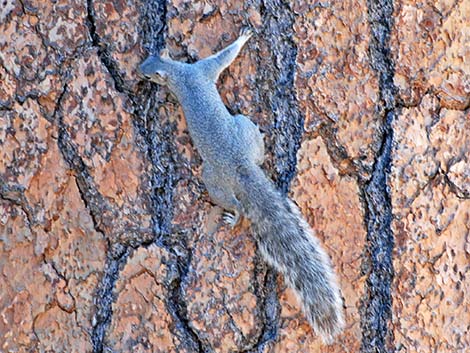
(158, 137)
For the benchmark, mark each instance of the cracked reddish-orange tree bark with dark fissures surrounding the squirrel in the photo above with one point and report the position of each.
(108, 241)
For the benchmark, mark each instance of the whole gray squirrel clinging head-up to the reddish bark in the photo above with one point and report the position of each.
(232, 150)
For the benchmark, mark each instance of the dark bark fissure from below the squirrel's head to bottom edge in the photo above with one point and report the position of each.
(160, 152)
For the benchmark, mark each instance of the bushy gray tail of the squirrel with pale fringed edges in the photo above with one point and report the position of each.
(287, 243)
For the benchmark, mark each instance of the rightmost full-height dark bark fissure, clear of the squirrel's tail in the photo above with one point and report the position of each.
(376, 308)
